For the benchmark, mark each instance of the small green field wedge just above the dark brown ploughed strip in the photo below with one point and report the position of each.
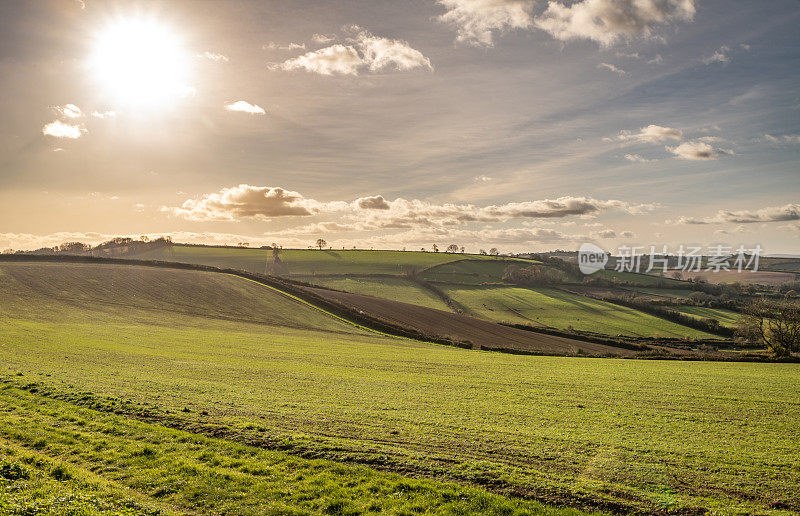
(398, 289)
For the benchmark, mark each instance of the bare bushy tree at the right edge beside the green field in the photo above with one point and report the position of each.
(775, 324)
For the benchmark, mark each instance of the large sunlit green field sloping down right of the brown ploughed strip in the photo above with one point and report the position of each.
(558, 309)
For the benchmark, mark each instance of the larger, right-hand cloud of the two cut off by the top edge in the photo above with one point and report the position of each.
(607, 21)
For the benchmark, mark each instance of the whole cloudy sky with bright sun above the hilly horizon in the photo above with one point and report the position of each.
(524, 125)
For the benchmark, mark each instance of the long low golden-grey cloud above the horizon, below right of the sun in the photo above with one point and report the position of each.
(249, 202)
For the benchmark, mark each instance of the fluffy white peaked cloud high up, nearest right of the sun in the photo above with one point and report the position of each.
(364, 51)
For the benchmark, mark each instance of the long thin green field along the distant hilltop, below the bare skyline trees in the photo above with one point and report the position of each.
(304, 262)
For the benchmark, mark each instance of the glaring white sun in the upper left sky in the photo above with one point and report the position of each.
(140, 62)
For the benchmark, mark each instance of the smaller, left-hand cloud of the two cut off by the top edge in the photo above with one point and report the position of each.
(476, 21)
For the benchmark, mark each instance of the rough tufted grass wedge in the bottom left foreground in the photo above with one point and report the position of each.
(56, 458)
